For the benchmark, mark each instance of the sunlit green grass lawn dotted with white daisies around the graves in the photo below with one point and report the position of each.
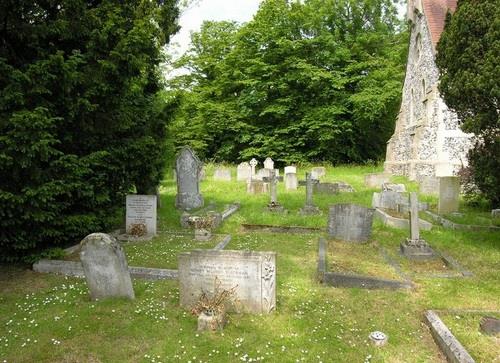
(49, 318)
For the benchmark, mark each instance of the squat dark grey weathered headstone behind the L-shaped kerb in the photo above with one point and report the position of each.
(350, 222)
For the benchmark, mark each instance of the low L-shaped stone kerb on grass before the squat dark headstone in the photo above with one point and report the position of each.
(337, 279)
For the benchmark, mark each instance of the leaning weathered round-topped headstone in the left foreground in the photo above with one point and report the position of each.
(105, 267)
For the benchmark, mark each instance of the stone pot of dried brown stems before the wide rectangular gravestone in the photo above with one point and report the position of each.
(211, 307)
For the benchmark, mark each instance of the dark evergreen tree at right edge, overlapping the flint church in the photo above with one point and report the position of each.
(468, 56)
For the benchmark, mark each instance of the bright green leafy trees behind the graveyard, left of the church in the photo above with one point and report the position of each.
(311, 80)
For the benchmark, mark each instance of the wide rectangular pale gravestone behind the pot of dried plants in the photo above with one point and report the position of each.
(253, 273)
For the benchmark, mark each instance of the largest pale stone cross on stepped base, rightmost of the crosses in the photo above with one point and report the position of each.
(415, 248)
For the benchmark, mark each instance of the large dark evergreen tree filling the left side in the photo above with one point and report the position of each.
(81, 122)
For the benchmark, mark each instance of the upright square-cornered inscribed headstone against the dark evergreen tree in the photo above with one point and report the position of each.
(140, 217)
